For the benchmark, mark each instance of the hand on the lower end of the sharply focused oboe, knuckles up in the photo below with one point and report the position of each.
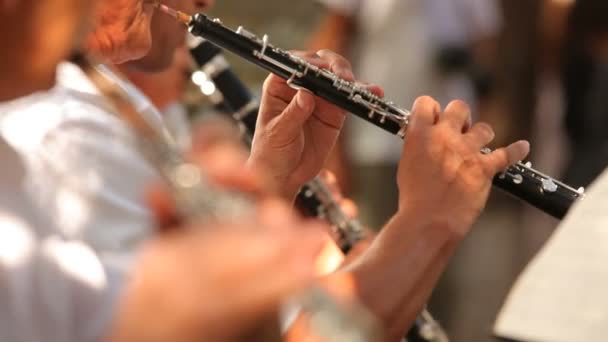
(442, 175)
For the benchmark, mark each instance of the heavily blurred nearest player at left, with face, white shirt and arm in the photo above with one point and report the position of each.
(55, 287)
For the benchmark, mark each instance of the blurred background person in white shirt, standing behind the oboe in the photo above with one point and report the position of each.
(410, 47)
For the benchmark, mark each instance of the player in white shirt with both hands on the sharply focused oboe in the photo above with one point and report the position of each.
(443, 180)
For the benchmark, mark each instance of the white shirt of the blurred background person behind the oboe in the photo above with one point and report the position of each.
(395, 48)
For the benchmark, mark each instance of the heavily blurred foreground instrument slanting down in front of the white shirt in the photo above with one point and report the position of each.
(196, 198)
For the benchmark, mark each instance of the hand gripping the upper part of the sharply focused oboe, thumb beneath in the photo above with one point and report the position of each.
(296, 130)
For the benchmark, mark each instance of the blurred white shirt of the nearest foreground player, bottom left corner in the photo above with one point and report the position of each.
(53, 287)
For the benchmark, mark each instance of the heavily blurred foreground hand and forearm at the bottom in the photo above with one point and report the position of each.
(215, 283)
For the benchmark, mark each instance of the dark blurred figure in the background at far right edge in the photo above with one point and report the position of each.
(585, 77)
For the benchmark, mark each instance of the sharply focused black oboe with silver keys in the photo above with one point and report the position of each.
(520, 180)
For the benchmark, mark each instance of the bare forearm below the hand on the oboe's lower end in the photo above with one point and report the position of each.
(396, 275)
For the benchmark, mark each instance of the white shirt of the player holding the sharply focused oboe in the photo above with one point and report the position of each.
(83, 164)
